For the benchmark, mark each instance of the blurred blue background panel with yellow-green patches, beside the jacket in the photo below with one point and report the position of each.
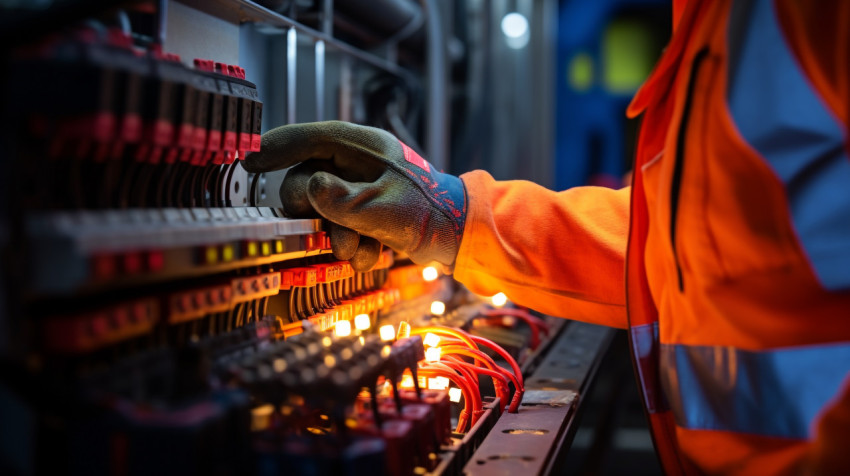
(590, 132)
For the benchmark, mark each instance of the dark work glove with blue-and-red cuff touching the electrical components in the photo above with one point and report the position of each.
(370, 187)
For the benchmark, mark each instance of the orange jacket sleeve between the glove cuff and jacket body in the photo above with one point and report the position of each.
(561, 253)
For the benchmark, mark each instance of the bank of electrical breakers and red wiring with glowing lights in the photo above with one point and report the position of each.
(162, 327)
